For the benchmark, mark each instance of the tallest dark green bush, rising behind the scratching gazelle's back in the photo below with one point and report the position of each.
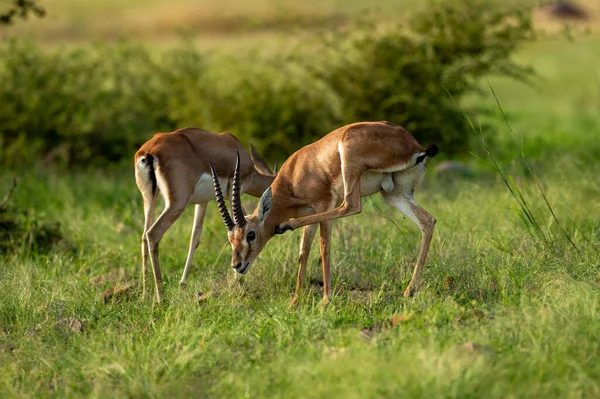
(404, 73)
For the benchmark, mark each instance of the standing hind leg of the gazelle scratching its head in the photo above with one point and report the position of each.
(406, 204)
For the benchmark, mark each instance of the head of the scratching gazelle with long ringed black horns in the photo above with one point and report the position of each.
(246, 234)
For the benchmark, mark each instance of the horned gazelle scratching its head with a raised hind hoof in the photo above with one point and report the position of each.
(326, 180)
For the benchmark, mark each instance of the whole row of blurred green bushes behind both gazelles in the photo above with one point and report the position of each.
(96, 105)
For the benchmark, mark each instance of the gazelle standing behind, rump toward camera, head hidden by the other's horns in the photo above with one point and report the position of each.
(177, 166)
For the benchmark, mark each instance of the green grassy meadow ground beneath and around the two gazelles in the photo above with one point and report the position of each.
(528, 313)
